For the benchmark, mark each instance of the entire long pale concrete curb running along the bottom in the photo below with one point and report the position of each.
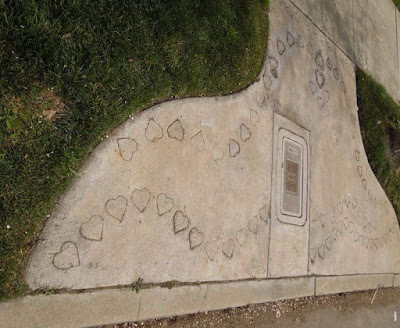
(110, 306)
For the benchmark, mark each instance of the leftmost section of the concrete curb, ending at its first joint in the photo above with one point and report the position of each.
(71, 310)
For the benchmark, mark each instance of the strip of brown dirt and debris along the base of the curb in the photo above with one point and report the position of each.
(262, 315)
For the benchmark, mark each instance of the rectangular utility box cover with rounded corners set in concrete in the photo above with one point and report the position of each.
(292, 178)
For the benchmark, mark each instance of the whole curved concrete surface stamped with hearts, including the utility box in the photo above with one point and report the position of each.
(271, 182)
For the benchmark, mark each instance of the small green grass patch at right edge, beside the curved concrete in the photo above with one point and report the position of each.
(379, 115)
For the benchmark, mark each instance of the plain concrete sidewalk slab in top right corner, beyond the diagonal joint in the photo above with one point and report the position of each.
(366, 30)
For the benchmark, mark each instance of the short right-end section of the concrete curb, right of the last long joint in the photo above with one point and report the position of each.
(340, 284)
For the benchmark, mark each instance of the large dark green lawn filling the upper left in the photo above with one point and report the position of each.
(104, 60)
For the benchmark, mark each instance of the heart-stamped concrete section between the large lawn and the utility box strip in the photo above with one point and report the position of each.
(176, 194)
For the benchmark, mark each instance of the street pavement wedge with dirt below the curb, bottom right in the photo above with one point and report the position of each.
(374, 309)
